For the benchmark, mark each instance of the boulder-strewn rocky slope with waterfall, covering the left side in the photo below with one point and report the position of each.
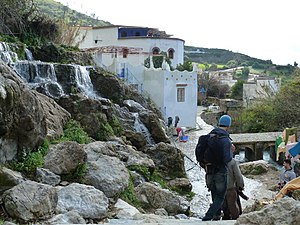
(35, 105)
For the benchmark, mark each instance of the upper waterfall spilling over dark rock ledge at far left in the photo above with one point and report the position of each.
(53, 80)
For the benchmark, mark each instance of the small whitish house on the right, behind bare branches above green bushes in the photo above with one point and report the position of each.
(258, 88)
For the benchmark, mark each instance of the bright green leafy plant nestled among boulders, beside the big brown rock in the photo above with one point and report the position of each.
(74, 132)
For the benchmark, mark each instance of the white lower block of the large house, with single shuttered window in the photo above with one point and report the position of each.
(162, 86)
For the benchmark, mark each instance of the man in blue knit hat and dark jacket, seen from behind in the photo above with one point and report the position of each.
(216, 172)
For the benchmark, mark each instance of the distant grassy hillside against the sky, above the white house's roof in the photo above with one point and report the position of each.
(59, 11)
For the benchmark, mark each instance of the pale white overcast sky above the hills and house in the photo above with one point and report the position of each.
(259, 28)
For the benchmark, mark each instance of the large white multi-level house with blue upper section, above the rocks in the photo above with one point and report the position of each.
(124, 49)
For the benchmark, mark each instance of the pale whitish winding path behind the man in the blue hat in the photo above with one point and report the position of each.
(200, 203)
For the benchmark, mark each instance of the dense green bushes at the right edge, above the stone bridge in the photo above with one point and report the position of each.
(274, 113)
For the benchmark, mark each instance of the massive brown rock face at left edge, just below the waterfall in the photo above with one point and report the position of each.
(26, 116)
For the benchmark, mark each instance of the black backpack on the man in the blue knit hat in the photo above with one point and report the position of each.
(208, 148)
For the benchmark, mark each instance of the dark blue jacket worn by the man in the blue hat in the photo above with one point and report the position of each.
(222, 149)
